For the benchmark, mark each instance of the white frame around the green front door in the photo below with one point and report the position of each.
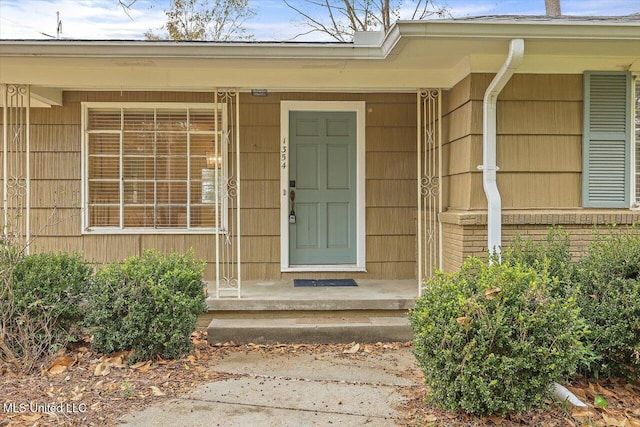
(359, 108)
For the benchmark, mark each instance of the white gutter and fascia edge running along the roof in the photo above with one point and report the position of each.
(144, 50)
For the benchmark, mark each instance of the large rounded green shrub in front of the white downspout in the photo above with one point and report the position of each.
(492, 338)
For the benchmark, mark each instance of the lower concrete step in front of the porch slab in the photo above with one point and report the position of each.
(316, 329)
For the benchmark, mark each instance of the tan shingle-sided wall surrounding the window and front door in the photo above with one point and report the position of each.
(390, 184)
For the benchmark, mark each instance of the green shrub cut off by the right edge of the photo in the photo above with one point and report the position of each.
(609, 298)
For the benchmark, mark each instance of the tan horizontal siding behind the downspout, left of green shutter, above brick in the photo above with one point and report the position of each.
(539, 142)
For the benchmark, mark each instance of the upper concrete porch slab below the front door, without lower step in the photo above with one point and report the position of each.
(282, 295)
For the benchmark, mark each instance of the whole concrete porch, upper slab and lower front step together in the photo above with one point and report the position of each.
(276, 311)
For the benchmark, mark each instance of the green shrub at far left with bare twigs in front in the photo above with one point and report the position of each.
(40, 304)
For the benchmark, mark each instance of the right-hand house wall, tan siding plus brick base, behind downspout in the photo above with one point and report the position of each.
(539, 153)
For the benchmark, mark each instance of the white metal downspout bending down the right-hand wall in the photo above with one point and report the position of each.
(489, 168)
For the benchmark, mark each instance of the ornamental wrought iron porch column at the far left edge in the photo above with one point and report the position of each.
(15, 162)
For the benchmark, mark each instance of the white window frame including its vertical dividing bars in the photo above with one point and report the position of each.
(219, 109)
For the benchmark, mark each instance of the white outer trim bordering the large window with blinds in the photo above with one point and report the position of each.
(84, 187)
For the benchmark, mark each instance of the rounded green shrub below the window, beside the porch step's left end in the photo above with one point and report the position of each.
(149, 304)
